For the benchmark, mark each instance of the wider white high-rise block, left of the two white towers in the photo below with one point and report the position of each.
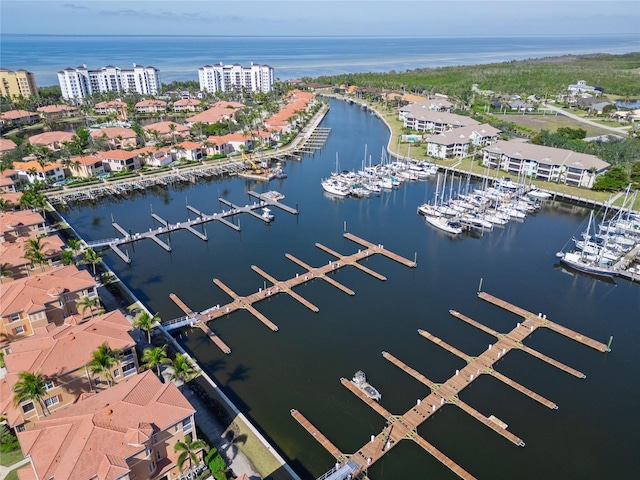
(77, 83)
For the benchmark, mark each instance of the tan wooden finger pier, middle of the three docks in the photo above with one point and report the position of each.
(281, 286)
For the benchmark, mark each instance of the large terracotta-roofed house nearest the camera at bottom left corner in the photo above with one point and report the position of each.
(127, 431)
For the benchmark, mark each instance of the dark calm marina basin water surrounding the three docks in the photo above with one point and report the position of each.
(593, 435)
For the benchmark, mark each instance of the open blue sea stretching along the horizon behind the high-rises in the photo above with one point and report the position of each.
(178, 58)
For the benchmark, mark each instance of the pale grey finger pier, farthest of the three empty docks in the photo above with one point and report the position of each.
(201, 218)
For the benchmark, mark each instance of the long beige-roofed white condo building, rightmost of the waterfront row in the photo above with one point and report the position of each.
(544, 163)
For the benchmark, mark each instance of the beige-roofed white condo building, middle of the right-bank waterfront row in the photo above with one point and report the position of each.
(457, 142)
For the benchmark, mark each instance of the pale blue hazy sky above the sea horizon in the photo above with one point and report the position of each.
(326, 17)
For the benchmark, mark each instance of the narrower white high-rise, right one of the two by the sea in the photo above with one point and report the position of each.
(226, 78)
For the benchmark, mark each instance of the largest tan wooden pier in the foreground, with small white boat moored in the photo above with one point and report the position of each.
(404, 427)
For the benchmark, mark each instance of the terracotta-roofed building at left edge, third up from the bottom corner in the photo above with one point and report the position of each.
(32, 302)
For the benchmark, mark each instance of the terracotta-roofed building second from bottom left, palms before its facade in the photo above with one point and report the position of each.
(61, 354)
